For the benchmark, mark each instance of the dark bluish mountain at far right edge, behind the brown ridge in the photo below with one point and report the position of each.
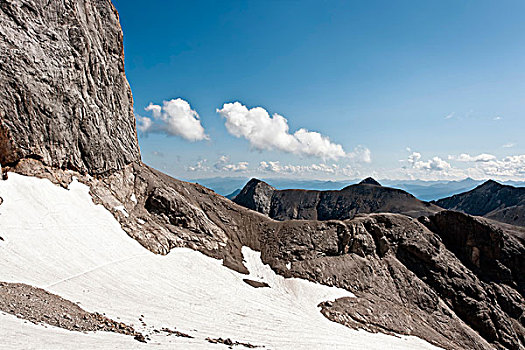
(492, 200)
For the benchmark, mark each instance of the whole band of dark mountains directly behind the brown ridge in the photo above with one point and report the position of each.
(490, 199)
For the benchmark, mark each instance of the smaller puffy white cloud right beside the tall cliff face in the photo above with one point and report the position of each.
(174, 117)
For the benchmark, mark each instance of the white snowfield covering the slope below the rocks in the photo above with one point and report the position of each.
(59, 240)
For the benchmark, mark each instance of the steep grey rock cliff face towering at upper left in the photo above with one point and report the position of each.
(64, 98)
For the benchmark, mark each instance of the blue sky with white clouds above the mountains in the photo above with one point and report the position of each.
(404, 89)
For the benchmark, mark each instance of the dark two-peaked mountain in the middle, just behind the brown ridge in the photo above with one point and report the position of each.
(366, 197)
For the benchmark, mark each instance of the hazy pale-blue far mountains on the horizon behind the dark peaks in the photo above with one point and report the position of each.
(423, 190)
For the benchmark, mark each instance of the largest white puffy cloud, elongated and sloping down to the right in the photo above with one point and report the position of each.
(265, 132)
